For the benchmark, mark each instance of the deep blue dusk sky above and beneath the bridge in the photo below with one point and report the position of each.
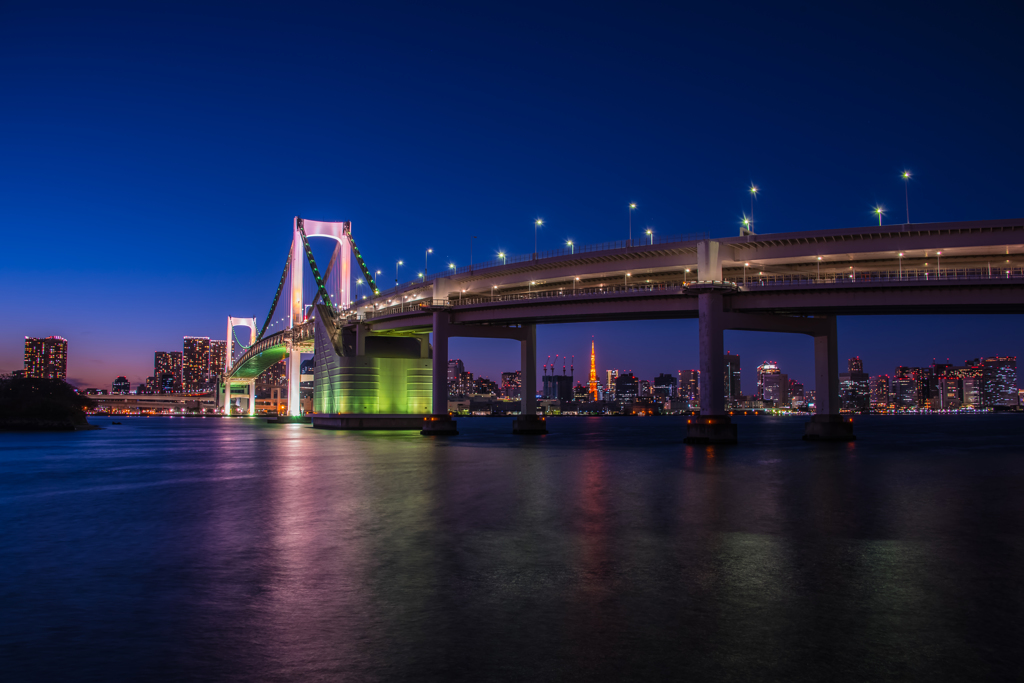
(154, 155)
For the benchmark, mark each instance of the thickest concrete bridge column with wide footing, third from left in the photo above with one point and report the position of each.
(713, 425)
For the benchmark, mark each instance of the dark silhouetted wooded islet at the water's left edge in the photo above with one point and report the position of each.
(30, 404)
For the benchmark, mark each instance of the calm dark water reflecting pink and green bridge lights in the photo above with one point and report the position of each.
(234, 550)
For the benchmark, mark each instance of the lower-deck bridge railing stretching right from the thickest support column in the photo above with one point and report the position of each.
(855, 277)
